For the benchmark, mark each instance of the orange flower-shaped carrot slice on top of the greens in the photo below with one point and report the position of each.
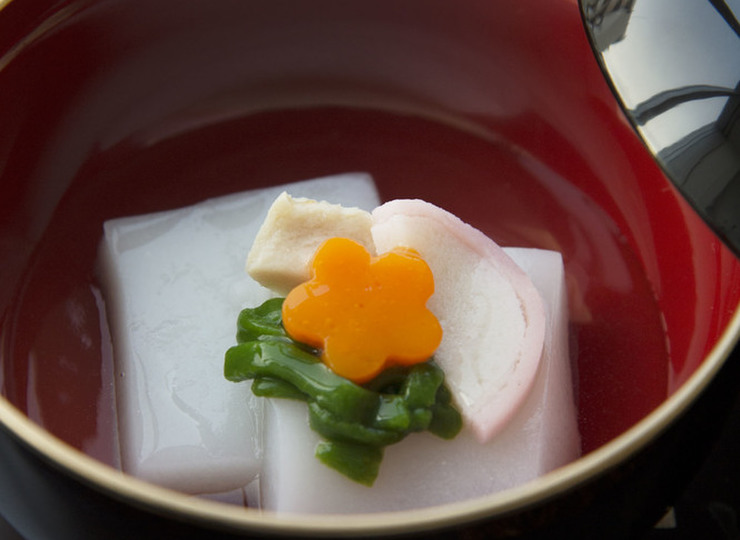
(365, 313)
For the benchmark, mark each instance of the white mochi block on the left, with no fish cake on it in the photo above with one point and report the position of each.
(174, 284)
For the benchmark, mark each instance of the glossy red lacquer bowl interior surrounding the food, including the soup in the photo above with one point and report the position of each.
(116, 108)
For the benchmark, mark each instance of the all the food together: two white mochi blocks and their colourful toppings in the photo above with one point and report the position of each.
(319, 294)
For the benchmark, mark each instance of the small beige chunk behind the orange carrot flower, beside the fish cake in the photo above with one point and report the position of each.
(292, 231)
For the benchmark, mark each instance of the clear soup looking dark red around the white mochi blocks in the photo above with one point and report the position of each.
(58, 365)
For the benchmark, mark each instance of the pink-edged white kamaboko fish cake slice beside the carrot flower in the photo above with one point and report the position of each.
(492, 316)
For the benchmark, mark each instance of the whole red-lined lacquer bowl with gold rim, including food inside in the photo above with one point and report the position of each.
(470, 294)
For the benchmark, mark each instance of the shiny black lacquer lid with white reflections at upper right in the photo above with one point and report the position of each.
(675, 66)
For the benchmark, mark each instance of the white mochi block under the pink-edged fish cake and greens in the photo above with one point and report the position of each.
(423, 470)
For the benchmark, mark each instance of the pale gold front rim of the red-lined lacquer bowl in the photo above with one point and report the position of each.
(180, 506)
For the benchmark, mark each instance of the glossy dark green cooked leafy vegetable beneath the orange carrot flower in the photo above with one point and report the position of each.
(355, 421)
